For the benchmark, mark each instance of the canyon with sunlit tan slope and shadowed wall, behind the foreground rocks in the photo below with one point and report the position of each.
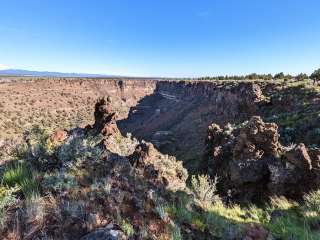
(173, 115)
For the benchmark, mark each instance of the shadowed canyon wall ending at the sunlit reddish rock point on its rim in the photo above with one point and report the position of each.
(175, 116)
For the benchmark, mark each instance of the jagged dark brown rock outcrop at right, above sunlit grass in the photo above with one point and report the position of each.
(252, 164)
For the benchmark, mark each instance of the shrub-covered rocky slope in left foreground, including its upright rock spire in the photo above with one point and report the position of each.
(80, 189)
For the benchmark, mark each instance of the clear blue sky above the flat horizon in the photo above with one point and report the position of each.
(161, 37)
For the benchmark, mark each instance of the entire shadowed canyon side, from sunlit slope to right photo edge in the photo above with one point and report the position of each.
(176, 115)
